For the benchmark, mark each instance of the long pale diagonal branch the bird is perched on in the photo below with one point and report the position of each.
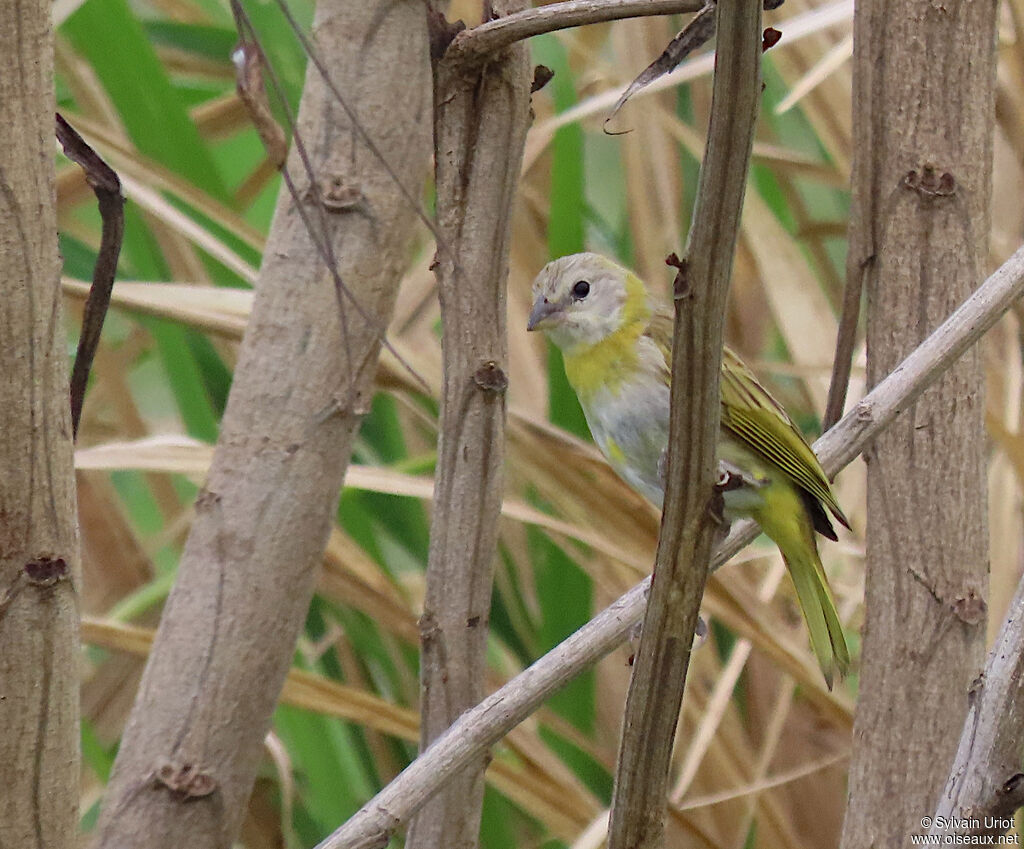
(481, 728)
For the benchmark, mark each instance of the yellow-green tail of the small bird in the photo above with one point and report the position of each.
(796, 541)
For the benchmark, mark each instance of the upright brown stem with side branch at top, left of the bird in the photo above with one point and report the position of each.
(482, 113)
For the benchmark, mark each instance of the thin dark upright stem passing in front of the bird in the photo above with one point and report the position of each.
(688, 531)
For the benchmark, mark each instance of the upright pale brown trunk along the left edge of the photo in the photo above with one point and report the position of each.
(39, 563)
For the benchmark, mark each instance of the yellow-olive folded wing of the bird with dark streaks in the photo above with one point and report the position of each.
(755, 418)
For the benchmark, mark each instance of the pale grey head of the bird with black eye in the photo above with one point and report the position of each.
(580, 301)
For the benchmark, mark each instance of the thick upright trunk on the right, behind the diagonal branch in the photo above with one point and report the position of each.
(925, 77)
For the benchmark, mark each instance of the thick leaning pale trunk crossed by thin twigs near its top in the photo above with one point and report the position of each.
(304, 383)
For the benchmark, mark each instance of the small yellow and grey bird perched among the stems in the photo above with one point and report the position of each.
(616, 342)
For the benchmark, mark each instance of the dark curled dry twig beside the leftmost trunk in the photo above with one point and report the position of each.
(107, 187)
